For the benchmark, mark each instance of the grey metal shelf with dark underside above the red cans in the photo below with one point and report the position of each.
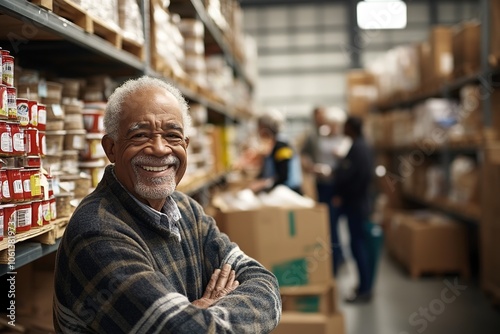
(46, 38)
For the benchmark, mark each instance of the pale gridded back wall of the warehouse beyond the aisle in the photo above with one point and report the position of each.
(305, 50)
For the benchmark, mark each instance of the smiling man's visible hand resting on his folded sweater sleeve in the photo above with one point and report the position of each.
(221, 283)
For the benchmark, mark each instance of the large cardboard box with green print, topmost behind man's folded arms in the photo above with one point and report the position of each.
(294, 243)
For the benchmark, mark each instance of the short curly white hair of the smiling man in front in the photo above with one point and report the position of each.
(114, 105)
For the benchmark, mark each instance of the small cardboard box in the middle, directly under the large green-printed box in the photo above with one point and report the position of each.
(319, 298)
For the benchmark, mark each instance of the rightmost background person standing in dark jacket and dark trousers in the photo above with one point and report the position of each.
(352, 180)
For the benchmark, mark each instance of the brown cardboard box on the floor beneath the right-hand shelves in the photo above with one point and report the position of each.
(425, 242)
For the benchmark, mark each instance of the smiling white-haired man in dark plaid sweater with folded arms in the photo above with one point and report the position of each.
(140, 257)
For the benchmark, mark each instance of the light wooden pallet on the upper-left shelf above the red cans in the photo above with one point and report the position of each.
(92, 25)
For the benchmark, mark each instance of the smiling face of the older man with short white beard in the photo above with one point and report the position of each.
(150, 154)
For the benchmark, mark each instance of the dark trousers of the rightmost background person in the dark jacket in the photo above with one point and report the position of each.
(356, 218)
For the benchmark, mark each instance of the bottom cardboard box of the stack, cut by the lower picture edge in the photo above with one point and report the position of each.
(300, 323)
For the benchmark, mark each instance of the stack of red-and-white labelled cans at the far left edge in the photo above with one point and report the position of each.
(22, 145)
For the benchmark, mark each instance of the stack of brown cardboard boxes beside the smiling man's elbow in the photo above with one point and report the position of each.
(294, 243)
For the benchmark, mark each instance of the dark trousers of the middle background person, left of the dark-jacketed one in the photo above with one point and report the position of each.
(325, 194)
